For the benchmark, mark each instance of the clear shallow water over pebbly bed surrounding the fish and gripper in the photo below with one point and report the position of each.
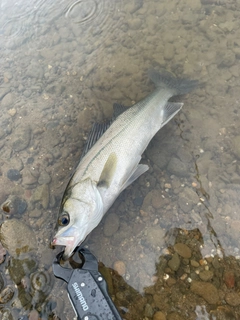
(174, 234)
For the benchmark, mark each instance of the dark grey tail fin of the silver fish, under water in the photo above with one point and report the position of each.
(166, 80)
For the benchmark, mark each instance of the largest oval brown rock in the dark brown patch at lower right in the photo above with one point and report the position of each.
(206, 290)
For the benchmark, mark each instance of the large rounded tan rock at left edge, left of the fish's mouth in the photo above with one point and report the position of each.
(17, 237)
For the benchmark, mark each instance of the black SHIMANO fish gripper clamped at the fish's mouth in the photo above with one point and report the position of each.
(87, 290)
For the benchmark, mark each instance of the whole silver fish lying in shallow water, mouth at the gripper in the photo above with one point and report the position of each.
(111, 159)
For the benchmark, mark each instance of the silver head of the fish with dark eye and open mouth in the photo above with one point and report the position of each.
(80, 213)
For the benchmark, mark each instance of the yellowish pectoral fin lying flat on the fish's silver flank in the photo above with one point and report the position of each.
(108, 171)
